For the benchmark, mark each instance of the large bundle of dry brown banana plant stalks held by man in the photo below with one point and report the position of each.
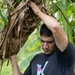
(21, 22)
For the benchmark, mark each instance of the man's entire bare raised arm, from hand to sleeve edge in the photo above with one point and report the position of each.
(60, 36)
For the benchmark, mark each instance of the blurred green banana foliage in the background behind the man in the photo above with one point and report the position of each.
(62, 10)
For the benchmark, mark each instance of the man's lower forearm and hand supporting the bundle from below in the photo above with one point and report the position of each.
(15, 68)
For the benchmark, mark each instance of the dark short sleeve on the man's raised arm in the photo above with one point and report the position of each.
(68, 56)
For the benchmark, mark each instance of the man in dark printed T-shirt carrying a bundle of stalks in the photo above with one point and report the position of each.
(58, 57)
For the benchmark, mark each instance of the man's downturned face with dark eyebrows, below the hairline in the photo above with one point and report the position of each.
(48, 44)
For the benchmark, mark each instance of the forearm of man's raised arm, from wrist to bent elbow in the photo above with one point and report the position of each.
(50, 22)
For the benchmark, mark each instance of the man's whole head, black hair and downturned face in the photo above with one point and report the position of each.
(47, 40)
